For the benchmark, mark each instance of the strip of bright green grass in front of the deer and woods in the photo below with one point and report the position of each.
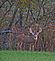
(26, 56)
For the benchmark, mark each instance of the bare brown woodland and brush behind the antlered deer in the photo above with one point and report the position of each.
(18, 15)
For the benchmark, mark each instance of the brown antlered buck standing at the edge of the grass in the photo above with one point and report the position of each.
(30, 40)
